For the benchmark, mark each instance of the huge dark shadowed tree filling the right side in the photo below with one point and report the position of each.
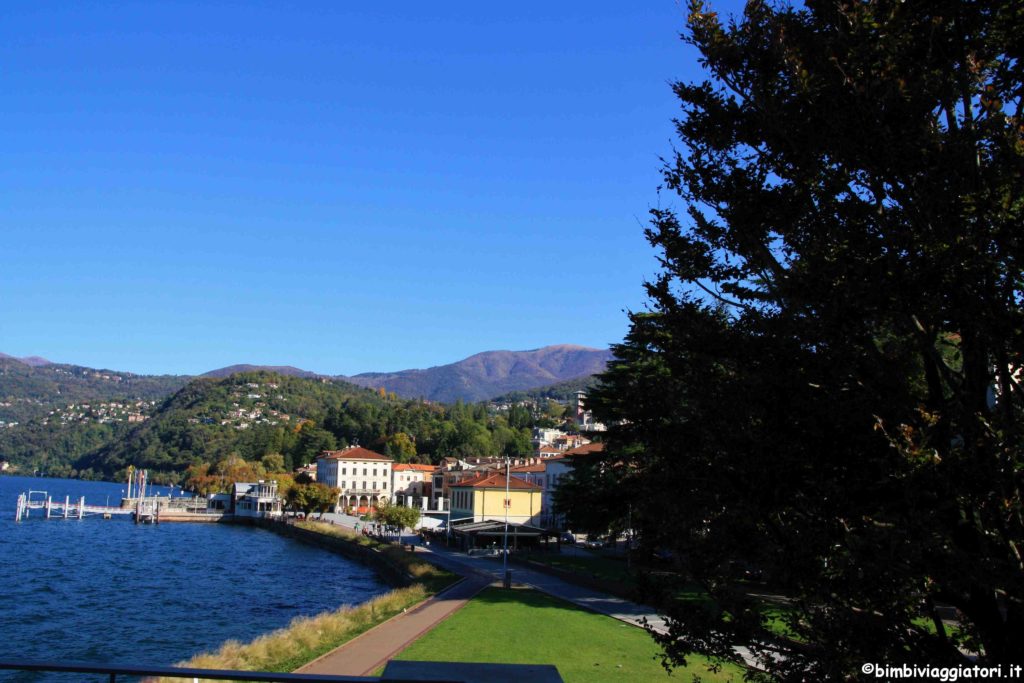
(826, 387)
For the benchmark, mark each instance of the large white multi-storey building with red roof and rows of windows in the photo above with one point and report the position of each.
(363, 477)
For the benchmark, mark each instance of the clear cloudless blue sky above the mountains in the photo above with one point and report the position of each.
(340, 187)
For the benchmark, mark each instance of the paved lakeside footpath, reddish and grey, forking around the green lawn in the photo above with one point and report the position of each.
(374, 649)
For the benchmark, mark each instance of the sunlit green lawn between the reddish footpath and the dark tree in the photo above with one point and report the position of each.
(528, 627)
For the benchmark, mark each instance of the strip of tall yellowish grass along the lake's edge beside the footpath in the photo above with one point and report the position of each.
(309, 637)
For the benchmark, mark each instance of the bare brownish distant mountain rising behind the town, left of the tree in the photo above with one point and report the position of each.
(492, 373)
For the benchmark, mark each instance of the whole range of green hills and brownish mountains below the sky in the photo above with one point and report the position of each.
(74, 421)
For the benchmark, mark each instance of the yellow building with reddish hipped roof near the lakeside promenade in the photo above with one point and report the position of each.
(483, 498)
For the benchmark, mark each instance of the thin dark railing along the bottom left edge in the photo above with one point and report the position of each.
(186, 673)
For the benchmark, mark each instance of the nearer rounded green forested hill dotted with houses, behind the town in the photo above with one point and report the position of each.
(252, 415)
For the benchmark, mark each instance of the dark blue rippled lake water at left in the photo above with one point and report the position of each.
(111, 591)
